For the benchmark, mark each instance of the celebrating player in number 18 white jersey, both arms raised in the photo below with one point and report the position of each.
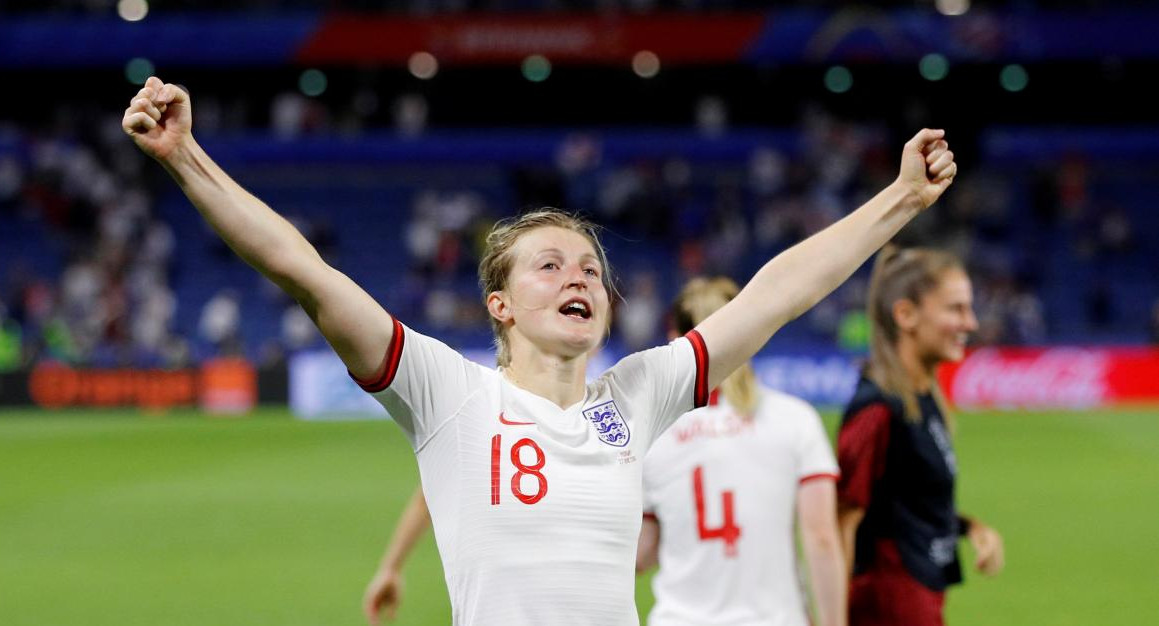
(533, 476)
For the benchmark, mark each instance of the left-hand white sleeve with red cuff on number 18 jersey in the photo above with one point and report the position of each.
(421, 383)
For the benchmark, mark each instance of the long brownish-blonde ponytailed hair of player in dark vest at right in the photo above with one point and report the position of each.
(902, 275)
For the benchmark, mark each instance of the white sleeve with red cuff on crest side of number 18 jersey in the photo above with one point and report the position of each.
(664, 383)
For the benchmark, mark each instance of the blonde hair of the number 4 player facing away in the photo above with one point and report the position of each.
(701, 299)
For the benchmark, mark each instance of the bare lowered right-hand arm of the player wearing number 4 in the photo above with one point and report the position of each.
(818, 521)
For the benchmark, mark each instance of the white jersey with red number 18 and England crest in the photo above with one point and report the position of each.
(536, 508)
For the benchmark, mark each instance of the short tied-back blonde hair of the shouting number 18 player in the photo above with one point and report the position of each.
(495, 267)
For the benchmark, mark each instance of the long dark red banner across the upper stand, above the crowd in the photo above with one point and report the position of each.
(489, 39)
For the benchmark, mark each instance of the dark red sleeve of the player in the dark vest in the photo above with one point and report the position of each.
(862, 448)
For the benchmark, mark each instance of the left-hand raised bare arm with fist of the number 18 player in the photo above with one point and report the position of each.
(161, 121)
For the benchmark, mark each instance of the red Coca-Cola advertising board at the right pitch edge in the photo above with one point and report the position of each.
(1046, 378)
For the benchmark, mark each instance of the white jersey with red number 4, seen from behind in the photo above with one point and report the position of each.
(724, 490)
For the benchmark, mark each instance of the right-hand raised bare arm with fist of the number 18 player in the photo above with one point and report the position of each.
(798, 279)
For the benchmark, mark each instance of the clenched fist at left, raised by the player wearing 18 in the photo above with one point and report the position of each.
(159, 119)
